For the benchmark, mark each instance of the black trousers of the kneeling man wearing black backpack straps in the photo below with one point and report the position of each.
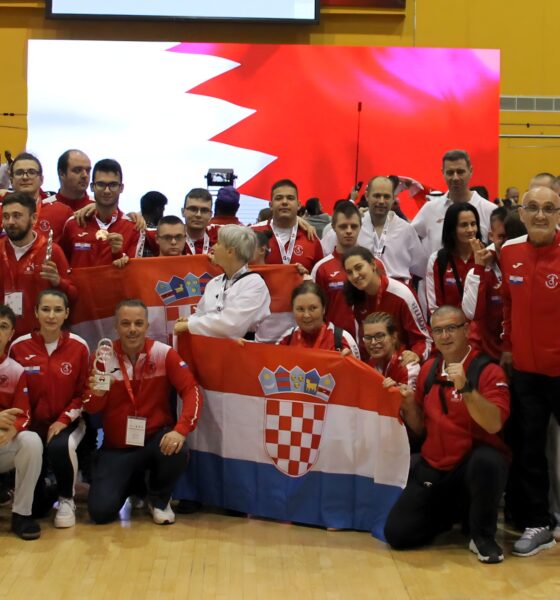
(433, 500)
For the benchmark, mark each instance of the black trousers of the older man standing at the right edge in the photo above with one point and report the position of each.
(534, 398)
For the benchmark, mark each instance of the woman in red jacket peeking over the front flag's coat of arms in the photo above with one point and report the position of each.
(311, 330)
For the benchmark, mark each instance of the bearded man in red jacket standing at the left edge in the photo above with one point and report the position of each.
(24, 270)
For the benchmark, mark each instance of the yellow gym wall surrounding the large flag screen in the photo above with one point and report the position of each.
(526, 32)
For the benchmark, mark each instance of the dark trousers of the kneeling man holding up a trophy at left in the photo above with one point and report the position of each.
(117, 471)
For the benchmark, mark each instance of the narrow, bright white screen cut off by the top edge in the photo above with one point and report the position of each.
(253, 10)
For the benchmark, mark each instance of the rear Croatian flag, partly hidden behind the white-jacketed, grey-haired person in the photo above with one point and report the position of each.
(169, 286)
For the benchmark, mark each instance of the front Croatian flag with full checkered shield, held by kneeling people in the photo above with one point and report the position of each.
(294, 434)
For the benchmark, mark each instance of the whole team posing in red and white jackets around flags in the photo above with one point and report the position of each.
(434, 306)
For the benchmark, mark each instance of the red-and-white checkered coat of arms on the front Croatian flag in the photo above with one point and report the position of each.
(296, 407)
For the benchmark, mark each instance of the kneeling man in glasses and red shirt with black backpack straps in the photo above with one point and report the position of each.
(461, 403)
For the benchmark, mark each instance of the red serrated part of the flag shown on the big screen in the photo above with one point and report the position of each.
(413, 104)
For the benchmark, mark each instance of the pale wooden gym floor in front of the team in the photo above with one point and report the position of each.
(213, 556)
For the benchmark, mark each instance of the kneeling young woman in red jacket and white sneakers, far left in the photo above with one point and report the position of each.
(57, 364)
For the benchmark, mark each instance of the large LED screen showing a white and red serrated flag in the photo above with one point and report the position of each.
(315, 114)
